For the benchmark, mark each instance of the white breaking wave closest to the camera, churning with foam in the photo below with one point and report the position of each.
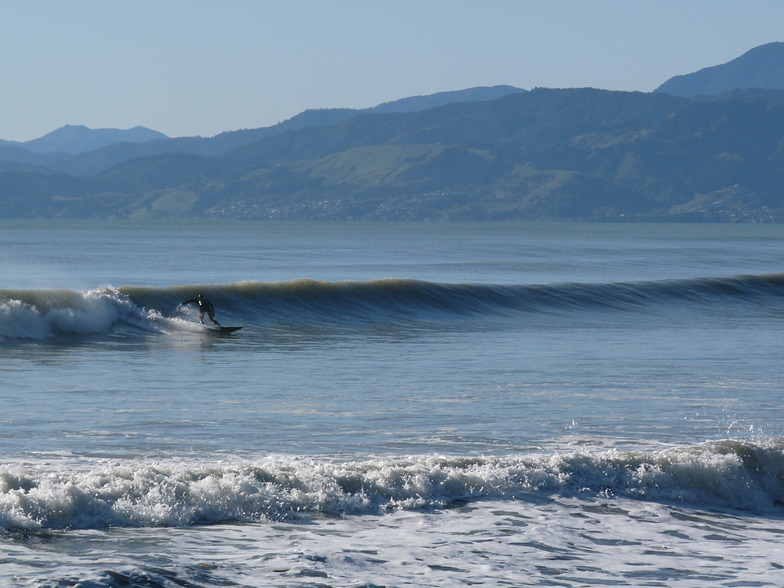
(727, 474)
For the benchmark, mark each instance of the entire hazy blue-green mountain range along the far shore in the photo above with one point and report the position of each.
(708, 146)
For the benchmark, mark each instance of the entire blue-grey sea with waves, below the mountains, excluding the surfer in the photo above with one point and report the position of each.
(405, 405)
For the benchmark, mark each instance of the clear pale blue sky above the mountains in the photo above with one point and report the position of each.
(197, 67)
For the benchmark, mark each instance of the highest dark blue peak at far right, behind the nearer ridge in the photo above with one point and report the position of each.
(761, 67)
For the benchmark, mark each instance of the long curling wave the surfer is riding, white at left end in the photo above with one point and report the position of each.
(42, 314)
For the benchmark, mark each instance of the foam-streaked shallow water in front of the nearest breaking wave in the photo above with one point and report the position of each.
(490, 542)
